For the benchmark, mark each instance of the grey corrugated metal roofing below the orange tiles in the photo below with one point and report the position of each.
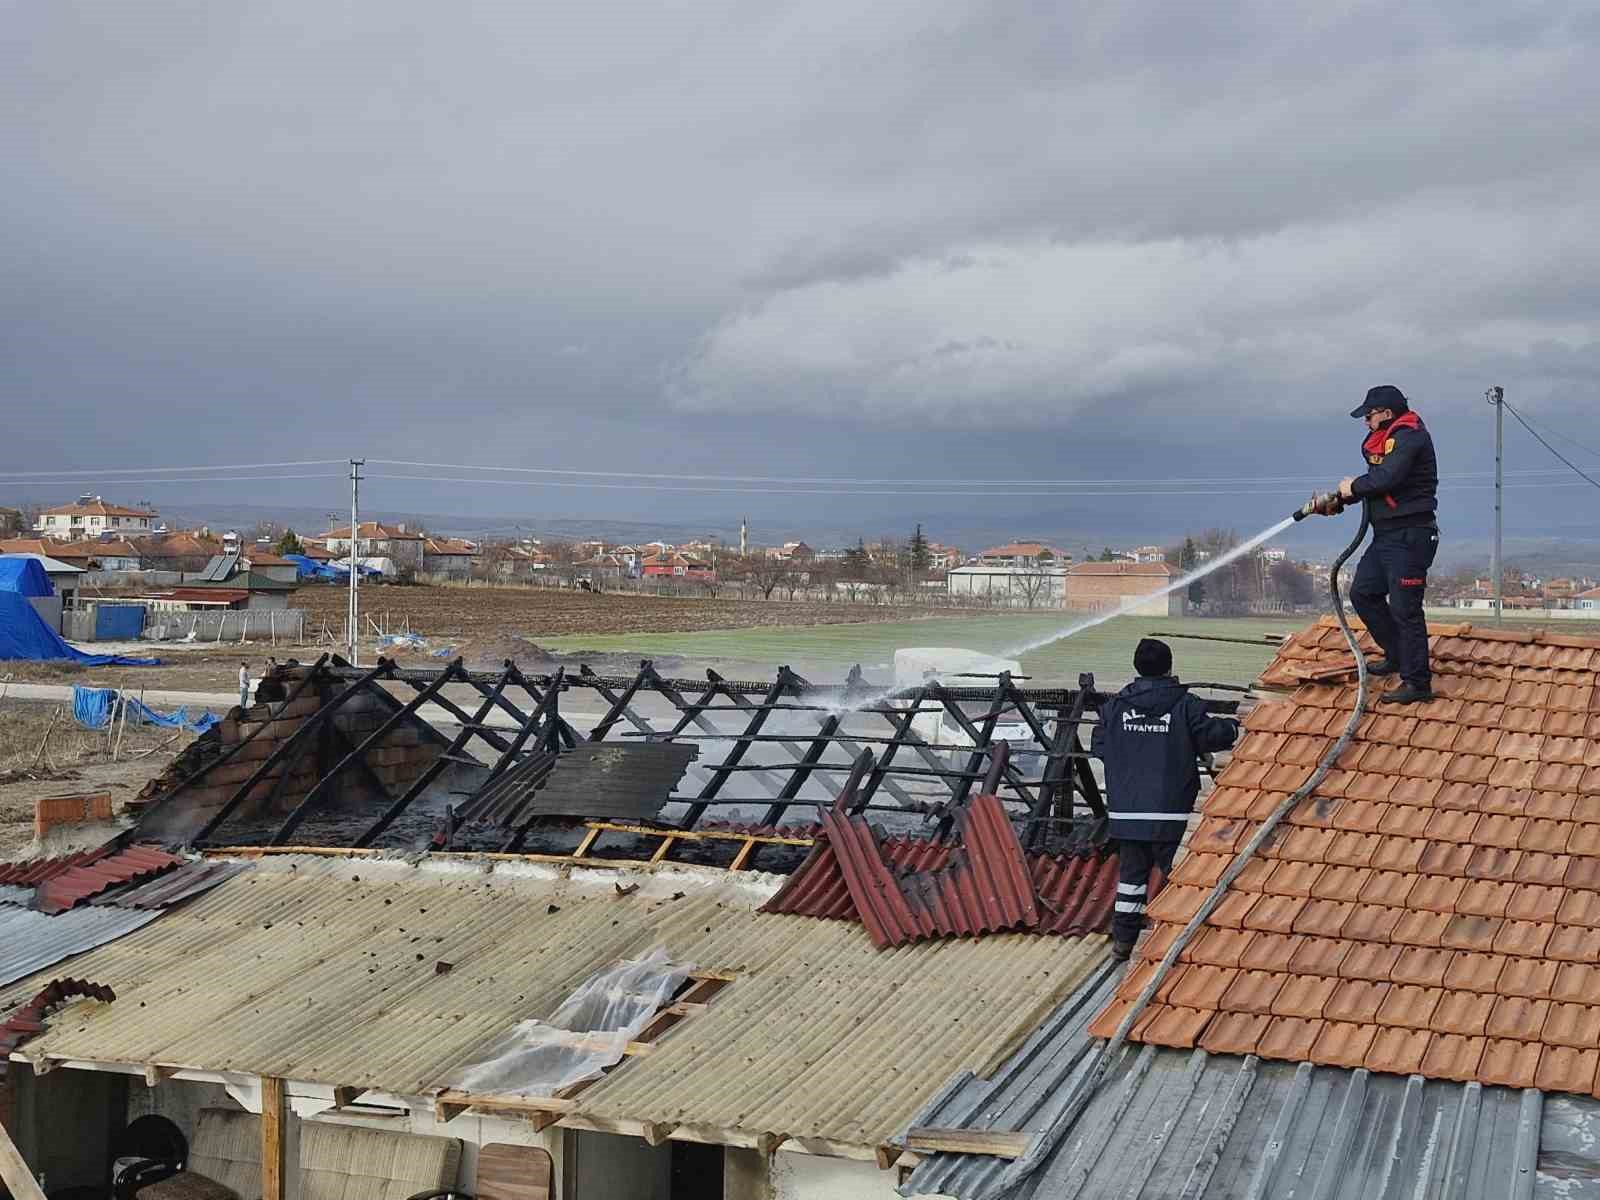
(1220, 1127)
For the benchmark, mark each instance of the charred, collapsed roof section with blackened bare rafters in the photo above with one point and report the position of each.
(350, 758)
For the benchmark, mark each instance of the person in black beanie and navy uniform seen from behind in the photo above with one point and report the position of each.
(1151, 735)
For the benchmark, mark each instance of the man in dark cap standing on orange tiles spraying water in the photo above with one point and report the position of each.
(1401, 490)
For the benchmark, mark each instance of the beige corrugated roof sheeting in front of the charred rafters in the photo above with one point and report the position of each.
(326, 970)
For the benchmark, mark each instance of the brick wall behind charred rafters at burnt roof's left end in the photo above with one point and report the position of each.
(396, 762)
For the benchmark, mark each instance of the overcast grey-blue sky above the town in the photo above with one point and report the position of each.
(895, 241)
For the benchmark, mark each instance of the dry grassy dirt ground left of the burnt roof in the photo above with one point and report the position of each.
(73, 761)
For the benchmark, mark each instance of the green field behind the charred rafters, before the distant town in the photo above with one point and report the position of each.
(828, 652)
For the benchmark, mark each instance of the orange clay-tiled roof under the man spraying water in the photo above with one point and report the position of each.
(1436, 905)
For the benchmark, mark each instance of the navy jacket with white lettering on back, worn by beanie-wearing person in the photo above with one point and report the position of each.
(1151, 735)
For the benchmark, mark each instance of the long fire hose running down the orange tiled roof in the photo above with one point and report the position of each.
(1322, 505)
